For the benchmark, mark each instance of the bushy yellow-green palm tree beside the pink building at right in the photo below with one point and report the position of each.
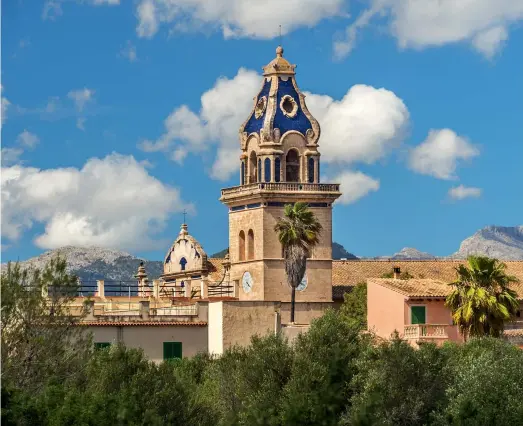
(482, 300)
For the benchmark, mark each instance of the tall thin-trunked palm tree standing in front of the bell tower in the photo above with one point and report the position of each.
(298, 231)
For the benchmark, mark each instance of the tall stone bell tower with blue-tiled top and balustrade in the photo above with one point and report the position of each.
(279, 164)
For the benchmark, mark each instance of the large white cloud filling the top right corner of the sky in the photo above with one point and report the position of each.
(418, 24)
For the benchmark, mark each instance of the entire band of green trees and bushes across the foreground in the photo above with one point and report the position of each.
(333, 375)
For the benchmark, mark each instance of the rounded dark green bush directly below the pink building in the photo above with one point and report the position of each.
(396, 385)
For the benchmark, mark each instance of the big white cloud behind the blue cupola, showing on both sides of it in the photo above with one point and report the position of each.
(364, 126)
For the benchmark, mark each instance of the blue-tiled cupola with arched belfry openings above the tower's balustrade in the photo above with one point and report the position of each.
(279, 139)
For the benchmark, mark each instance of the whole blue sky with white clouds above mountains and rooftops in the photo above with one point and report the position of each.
(420, 105)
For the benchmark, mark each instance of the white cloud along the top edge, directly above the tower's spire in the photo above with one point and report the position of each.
(235, 18)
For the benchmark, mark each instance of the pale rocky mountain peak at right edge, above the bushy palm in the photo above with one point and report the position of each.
(500, 242)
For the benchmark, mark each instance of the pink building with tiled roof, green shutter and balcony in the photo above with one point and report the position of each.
(415, 308)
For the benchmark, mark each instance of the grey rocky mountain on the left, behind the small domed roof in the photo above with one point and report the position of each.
(95, 263)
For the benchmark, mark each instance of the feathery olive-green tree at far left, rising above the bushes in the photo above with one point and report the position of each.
(38, 331)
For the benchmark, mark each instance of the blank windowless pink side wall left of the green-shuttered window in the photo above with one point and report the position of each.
(385, 310)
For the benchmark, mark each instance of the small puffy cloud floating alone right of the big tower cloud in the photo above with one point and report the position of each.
(439, 154)
